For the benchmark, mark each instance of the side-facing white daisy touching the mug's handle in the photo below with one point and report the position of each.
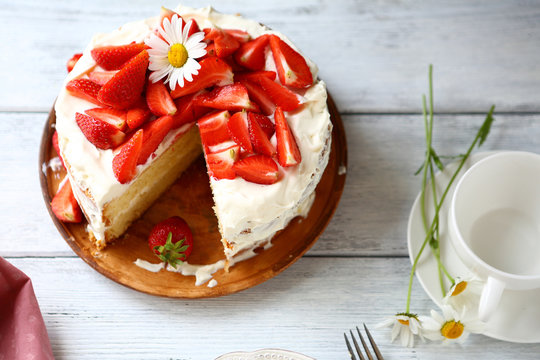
(464, 294)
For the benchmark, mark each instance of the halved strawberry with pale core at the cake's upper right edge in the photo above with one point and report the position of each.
(291, 67)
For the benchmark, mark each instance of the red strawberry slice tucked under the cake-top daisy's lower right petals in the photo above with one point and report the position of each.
(213, 71)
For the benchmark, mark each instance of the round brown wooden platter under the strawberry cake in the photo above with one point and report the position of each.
(191, 198)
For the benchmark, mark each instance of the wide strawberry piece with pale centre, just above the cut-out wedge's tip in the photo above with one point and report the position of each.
(229, 97)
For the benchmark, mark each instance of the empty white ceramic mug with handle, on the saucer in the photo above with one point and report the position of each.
(494, 224)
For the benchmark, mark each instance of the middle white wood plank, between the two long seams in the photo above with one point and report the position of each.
(384, 153)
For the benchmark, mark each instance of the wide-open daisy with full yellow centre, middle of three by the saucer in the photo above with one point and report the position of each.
(451, 326)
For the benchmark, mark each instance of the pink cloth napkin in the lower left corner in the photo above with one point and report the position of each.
(22, 331)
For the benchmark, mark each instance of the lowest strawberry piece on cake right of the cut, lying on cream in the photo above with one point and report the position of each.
(260, 169)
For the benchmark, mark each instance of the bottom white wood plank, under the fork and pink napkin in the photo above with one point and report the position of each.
(306, 309)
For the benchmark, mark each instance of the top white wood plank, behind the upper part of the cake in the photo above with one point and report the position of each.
(373, 55)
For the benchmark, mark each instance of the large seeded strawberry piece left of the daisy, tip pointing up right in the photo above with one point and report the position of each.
(126, 86)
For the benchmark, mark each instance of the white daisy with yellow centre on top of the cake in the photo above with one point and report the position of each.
(173, 54)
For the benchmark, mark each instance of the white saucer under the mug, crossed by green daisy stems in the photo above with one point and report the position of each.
(517, 318)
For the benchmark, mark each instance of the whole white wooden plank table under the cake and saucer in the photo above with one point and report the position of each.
(374, 57)
